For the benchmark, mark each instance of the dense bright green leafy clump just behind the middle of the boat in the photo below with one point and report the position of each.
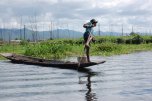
(47, 50)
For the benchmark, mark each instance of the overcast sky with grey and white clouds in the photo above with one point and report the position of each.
(129, 12)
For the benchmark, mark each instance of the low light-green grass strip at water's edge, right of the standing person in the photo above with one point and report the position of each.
(109, 49)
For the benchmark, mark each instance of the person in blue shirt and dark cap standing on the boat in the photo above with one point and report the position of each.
(88, 36)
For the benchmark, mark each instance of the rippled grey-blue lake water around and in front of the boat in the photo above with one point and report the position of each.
(121, 78)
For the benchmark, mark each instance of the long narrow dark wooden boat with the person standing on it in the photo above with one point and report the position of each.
(22, 59)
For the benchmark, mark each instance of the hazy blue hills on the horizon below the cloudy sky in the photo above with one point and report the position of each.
(12, 34)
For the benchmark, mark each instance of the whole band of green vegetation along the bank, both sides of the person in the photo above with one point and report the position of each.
(60, 48)
